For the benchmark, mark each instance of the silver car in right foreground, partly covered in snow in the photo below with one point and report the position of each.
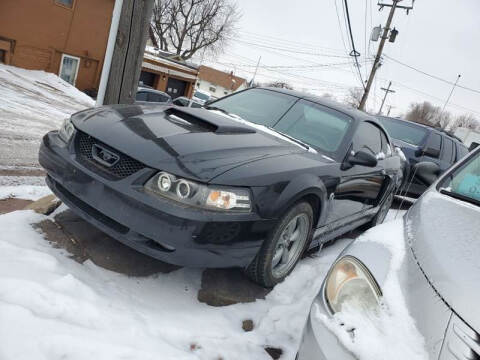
(438, 275)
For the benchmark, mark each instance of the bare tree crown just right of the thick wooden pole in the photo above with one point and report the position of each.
(187, 26)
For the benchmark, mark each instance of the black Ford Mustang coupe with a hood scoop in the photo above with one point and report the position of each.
(251, 181)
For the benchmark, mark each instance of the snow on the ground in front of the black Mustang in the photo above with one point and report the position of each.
(54, 308)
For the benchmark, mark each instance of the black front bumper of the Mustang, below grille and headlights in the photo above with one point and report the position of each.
(157, 227)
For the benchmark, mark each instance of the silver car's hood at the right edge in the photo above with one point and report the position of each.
(444, 235)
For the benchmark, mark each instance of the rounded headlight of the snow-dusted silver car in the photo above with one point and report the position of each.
(350, 284)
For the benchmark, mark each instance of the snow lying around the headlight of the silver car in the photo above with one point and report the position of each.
(390, 334)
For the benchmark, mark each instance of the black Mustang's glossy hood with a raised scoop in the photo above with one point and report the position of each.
(194, 143)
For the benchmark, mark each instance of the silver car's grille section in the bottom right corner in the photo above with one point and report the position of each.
(461, 342)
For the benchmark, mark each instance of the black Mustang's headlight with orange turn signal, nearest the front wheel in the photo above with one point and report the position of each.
(199, 195)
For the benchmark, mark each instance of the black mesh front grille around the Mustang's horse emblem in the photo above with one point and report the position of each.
(124, 167)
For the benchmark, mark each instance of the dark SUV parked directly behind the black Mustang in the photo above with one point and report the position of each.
(422, 143)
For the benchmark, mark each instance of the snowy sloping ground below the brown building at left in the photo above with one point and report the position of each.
(32, 103)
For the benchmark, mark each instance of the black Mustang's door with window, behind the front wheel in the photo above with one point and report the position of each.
(360, 186)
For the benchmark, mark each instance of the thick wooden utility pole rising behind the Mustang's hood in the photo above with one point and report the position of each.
(127, 59)
